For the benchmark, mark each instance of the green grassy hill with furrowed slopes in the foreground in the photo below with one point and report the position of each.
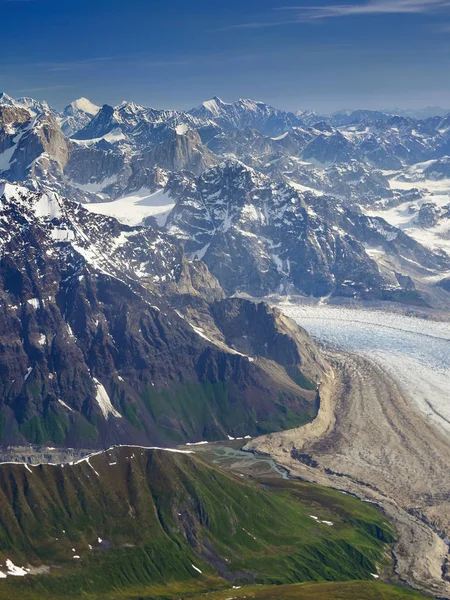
(144, 523)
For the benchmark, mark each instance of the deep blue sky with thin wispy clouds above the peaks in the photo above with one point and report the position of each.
(304, 54)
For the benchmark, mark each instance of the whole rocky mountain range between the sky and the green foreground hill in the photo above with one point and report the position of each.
(131, 238)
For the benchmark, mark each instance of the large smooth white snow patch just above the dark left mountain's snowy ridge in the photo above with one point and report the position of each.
(133, 209)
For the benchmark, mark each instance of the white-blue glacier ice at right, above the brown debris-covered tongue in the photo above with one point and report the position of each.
(415, 352)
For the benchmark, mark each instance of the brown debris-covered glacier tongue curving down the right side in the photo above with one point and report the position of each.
(369, 440)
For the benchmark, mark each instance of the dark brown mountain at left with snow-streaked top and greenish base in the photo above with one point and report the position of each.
(93, 350)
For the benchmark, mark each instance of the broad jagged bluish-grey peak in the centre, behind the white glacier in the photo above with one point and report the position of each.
(259, 237)
